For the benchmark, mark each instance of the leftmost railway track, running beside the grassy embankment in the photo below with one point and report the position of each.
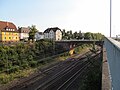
(63, 68)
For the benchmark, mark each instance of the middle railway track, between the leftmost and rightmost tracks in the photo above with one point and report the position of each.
(56, 83)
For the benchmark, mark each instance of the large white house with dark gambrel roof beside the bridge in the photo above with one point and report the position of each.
(53, 33)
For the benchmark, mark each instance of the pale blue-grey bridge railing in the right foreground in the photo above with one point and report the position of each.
(113, 55)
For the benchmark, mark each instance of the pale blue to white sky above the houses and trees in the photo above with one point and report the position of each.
(85, 15)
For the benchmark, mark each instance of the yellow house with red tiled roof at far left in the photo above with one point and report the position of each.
(8, 32)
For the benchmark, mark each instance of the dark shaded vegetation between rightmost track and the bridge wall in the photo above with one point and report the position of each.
(94, 77)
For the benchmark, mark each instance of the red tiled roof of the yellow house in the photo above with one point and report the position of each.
(4, 25)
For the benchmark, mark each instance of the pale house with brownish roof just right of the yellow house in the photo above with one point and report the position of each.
(23, 33)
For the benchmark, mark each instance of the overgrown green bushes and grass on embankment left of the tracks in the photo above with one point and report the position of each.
(17, 61)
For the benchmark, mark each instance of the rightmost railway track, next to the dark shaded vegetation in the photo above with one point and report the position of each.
(80, 73)
